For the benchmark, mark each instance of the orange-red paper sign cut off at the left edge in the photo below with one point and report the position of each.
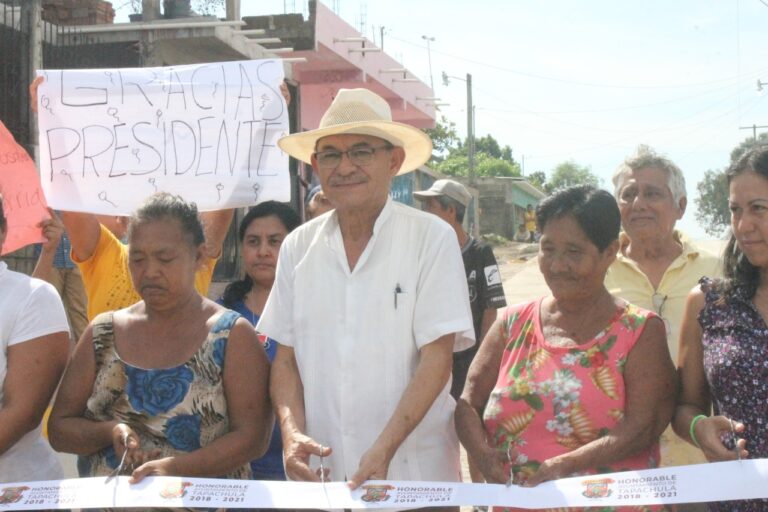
(23, 199)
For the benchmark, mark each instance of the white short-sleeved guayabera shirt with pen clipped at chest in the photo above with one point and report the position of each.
(357, 334)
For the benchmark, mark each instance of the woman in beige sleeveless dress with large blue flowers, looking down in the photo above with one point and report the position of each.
(176, 380)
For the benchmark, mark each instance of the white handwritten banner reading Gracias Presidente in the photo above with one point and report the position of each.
(208, 132)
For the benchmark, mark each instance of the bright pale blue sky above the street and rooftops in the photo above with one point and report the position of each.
(587, 80)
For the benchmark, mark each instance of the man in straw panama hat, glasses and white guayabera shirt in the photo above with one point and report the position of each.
(369, 303)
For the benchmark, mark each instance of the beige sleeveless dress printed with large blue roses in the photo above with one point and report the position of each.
(175, 410)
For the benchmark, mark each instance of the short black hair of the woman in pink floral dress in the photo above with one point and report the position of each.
(595, 211)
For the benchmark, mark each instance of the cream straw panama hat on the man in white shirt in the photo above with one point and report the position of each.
(361, 112)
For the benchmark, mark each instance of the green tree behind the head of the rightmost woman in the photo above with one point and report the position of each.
(712, 203)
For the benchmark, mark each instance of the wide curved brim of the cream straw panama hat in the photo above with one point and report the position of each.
(416, 143)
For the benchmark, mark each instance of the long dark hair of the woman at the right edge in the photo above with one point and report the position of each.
(738, 272)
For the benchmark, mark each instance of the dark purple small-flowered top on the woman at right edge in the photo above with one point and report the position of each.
(735, 343)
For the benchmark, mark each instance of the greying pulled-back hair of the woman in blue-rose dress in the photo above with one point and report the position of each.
(163, 205)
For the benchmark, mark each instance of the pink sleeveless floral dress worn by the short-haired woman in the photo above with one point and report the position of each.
(549, 400)
